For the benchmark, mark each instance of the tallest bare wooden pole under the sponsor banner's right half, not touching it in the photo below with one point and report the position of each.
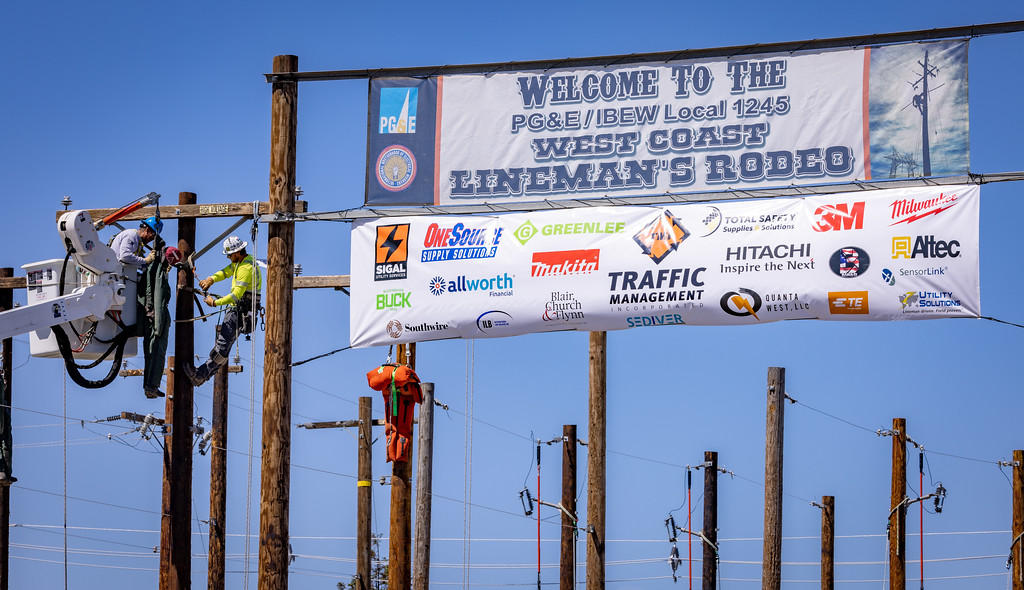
(772, 574)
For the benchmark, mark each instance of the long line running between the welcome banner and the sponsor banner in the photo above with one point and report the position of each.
(651, 200)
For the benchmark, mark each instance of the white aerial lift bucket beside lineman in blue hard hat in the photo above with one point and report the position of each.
(95, 284)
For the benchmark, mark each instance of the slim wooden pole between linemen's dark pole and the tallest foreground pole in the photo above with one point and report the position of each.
(219, 481)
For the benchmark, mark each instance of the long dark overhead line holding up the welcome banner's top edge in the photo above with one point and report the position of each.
(661, 57)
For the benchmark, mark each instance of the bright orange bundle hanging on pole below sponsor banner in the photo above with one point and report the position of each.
(402, 392)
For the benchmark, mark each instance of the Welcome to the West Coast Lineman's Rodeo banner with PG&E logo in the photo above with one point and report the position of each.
(751, 122)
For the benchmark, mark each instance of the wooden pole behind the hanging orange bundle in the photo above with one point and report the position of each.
(400, 555)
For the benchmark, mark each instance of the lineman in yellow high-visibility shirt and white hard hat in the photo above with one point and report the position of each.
(241, 302)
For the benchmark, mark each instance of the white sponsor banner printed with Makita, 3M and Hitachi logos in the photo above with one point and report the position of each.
(876, 256)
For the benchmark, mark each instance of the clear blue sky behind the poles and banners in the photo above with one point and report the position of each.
(106, 102)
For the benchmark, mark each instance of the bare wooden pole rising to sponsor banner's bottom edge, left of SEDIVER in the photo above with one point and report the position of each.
(595, 461)
